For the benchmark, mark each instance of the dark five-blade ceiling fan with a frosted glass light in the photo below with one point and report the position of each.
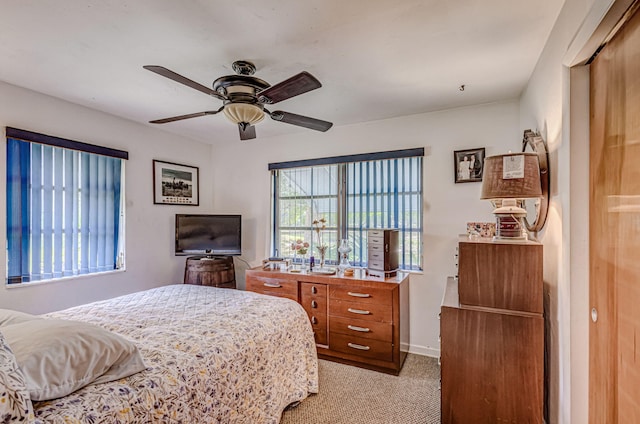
(244, 97)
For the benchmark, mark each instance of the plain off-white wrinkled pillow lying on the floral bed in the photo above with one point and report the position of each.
(60, 356)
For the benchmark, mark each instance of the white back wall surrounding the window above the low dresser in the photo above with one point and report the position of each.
(242, 185)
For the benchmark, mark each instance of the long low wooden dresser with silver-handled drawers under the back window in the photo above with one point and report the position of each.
(359, 320)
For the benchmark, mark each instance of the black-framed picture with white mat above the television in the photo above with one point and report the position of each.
(175, 184)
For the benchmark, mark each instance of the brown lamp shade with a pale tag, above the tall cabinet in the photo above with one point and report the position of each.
(511, 176)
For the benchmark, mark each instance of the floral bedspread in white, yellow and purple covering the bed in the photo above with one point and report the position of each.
(212, 356)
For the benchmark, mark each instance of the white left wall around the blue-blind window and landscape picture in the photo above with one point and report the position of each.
(149, 228)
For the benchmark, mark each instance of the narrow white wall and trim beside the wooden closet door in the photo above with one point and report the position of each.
(546, 105)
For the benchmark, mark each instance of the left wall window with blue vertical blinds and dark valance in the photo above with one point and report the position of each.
(64, 207)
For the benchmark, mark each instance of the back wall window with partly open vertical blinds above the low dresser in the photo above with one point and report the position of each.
(352, 193)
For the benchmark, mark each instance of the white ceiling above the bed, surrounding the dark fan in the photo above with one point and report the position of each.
(376, 59)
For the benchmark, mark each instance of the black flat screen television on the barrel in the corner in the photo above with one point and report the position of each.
(211, 235)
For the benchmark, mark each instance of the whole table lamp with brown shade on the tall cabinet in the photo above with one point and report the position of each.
(507, 180)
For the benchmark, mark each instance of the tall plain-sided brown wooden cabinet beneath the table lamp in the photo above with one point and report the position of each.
(492, 335)
